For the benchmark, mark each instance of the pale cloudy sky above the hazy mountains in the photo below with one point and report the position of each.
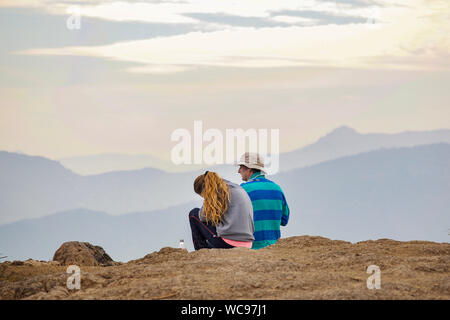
(135, 71)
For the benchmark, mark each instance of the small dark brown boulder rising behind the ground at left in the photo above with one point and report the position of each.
(82, 254)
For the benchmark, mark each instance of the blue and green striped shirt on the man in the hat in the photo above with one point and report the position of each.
(270, 209)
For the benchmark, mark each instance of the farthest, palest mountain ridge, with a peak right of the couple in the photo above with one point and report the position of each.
(342, 141)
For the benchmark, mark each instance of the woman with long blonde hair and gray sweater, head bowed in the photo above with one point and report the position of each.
(226, 218)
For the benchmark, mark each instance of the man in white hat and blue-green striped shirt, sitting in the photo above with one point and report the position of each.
(270, 209)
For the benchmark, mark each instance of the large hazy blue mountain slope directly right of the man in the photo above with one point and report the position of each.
(399, 193)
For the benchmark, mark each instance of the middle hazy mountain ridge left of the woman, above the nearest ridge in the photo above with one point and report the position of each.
(36, 186)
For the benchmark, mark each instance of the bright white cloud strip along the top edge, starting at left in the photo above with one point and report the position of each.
(191, 11)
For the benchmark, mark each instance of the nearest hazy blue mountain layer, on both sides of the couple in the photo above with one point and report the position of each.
(399, 193)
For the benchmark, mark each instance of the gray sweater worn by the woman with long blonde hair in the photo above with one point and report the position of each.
(237, 221)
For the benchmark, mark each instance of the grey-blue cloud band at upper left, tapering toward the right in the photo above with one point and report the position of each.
(33, 27)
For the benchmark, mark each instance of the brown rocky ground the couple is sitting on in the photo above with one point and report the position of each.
(295, 268)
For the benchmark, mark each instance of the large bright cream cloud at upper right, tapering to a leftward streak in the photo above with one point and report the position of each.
(395, 33)
